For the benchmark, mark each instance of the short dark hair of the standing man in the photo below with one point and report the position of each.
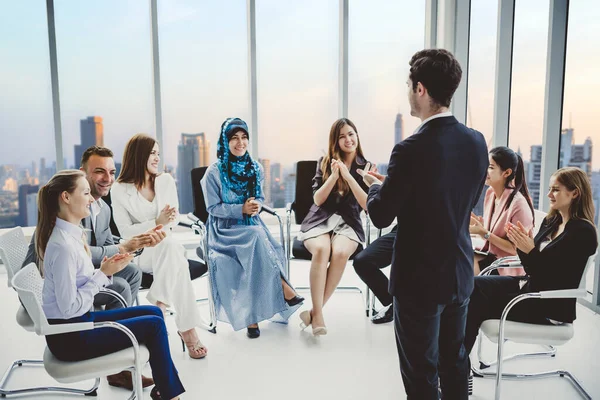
(438, 71)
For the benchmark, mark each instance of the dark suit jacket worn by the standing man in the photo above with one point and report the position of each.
(435, 178)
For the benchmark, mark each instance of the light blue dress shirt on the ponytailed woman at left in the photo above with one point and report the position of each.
(70, 280)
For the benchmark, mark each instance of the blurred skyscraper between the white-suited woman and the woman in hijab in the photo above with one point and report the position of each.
(193, 151)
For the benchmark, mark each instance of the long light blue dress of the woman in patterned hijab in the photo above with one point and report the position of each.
(245, 262)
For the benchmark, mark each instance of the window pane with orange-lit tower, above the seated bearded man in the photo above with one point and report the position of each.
(105, 74)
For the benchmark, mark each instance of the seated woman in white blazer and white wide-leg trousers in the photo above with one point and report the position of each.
(142, 199)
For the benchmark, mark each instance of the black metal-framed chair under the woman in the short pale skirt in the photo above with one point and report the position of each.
(305, 171)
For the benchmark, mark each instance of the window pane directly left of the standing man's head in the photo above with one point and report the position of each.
(382, 39)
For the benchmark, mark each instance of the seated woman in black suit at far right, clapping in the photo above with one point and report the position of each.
(554, 260)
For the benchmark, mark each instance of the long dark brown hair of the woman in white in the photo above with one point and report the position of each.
(135, 160)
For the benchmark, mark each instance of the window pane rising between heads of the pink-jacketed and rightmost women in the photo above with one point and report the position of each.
(528, 87)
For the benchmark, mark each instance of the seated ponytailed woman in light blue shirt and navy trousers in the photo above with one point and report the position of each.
(71, 282)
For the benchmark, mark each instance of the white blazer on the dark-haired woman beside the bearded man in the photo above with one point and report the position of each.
(126, 201)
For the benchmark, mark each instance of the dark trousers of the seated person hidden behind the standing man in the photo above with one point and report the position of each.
(369, 262)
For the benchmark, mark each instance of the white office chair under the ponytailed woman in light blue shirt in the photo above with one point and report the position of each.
(28, 283)
